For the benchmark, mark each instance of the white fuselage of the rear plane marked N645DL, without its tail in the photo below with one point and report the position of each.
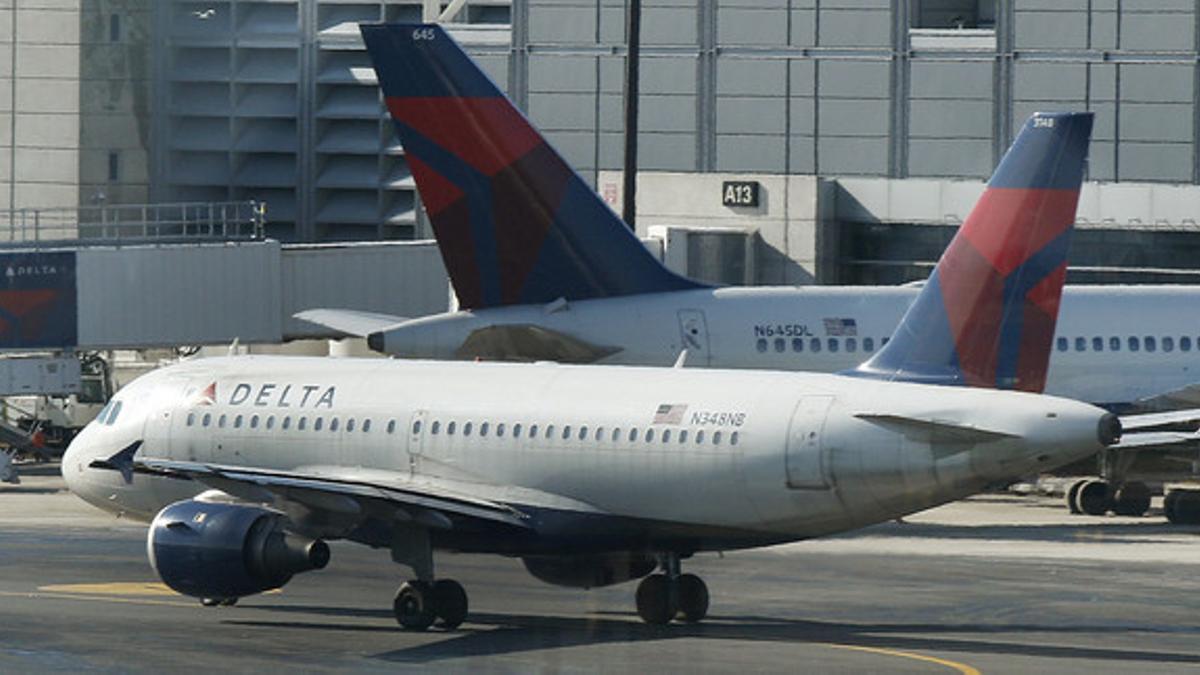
(1115, 345)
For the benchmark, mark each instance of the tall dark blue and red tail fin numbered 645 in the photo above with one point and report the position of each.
(515, 224)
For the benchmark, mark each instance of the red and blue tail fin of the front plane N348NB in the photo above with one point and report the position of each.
(987, 315)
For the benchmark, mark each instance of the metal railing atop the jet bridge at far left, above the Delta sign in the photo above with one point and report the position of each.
(134, 223)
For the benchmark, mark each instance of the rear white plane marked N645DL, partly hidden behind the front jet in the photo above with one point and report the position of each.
(544, 271)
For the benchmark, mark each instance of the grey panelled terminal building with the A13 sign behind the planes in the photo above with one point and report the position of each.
(854, 122)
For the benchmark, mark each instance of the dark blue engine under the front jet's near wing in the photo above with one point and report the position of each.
(215, 551)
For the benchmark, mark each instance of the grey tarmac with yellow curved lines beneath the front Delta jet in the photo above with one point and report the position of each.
(994, 584)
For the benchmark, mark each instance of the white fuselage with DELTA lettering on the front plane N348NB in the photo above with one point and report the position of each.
(609, 459)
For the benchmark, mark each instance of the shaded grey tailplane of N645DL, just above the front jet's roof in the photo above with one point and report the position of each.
(529, 343)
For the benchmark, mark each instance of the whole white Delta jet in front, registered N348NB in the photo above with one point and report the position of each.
(592, 474)
